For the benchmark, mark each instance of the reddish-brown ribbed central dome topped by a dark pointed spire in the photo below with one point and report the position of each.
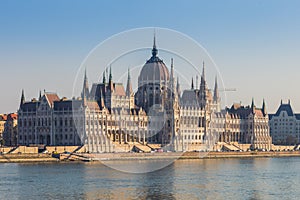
(154, 70)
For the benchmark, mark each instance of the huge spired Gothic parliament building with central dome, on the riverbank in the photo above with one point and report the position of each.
(109, 117)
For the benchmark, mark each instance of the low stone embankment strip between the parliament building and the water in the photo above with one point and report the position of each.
(23, 158)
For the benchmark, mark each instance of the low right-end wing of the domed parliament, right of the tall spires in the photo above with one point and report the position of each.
(246, 125)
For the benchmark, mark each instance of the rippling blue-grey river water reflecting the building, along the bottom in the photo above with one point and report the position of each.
(255, 178)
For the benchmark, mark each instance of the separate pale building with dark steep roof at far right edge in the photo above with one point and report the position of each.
(285, 125)
